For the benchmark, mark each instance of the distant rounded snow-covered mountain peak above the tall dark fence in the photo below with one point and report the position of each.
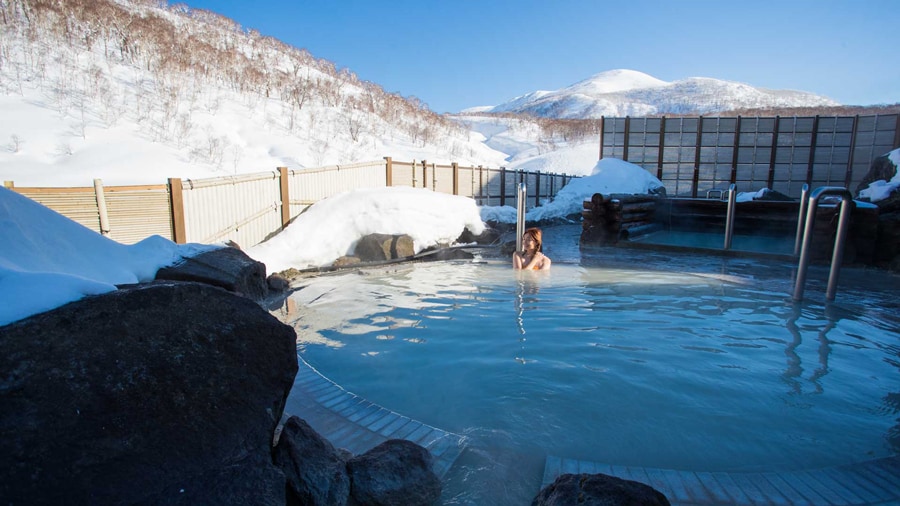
(631, 93)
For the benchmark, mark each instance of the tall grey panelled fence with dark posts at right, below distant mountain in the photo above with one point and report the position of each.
(692, 156)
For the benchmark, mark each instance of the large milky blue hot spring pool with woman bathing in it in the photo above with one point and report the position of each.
(623, 357)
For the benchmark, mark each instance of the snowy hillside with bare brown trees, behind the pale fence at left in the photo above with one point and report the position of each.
(133, 92)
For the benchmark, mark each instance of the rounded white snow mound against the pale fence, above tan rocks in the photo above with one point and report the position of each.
(330, 228)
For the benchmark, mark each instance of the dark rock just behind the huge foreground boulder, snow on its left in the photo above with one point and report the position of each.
(228, 268)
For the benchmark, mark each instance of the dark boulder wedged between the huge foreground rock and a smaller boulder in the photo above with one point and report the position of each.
(316, 472)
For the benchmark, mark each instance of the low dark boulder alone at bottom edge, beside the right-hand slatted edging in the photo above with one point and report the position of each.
(598, 490)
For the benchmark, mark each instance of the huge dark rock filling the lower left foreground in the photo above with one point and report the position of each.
(166, 393)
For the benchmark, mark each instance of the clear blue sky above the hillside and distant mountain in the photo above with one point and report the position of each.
(455, 54)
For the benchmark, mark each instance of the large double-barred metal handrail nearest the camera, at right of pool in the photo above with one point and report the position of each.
(838, 255)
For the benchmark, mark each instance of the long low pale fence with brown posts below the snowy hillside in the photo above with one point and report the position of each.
(249, 208)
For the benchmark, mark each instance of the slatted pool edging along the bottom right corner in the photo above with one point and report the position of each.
(867, 483)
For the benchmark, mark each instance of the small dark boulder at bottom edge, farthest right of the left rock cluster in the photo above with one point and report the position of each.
(394, 472)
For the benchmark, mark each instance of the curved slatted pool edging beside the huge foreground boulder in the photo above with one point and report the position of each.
(357, 425)
